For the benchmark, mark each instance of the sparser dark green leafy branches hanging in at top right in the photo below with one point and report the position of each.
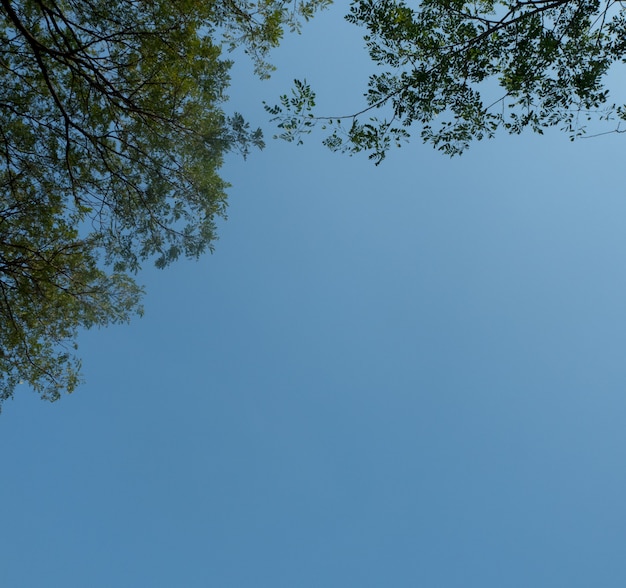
(462, 69)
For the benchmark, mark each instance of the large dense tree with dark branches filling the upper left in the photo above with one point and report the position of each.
(112, 134)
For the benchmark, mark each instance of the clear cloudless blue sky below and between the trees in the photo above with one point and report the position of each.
(405, 375)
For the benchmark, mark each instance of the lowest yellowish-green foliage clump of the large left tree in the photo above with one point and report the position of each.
(50, 283)
